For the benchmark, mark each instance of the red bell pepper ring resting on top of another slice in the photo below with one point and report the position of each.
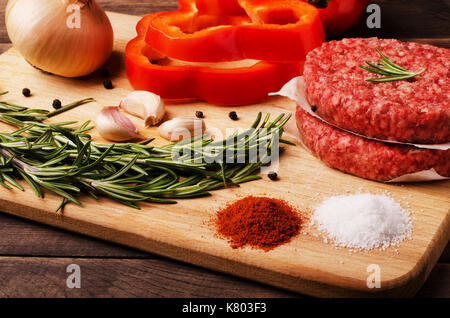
(270, 30)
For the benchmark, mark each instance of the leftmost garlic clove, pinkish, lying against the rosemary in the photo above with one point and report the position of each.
(114, 126)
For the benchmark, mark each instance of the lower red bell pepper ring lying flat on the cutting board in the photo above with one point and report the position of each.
(217, 85)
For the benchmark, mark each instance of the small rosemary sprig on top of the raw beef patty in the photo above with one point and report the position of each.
(390, 70)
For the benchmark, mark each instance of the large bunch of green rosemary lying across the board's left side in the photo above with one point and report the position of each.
(65, 161)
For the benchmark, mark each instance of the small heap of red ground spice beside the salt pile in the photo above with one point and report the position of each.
(259, 222)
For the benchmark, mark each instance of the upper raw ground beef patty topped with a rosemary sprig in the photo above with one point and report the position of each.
(416, 111)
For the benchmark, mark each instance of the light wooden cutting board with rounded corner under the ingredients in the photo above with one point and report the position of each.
(307, 264)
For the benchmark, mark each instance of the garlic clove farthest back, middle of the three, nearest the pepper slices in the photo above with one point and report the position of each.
(145, 105)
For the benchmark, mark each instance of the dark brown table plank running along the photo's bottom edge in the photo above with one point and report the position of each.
(46, 277)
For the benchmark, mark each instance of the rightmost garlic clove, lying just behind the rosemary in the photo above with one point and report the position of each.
(181, 128)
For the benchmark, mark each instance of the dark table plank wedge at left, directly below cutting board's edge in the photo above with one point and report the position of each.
(20, 237)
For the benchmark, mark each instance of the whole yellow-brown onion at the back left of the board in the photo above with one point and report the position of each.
(69, 38)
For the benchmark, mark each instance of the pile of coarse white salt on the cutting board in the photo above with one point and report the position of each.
(363, 221)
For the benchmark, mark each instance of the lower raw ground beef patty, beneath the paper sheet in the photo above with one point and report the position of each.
(363, 157)
